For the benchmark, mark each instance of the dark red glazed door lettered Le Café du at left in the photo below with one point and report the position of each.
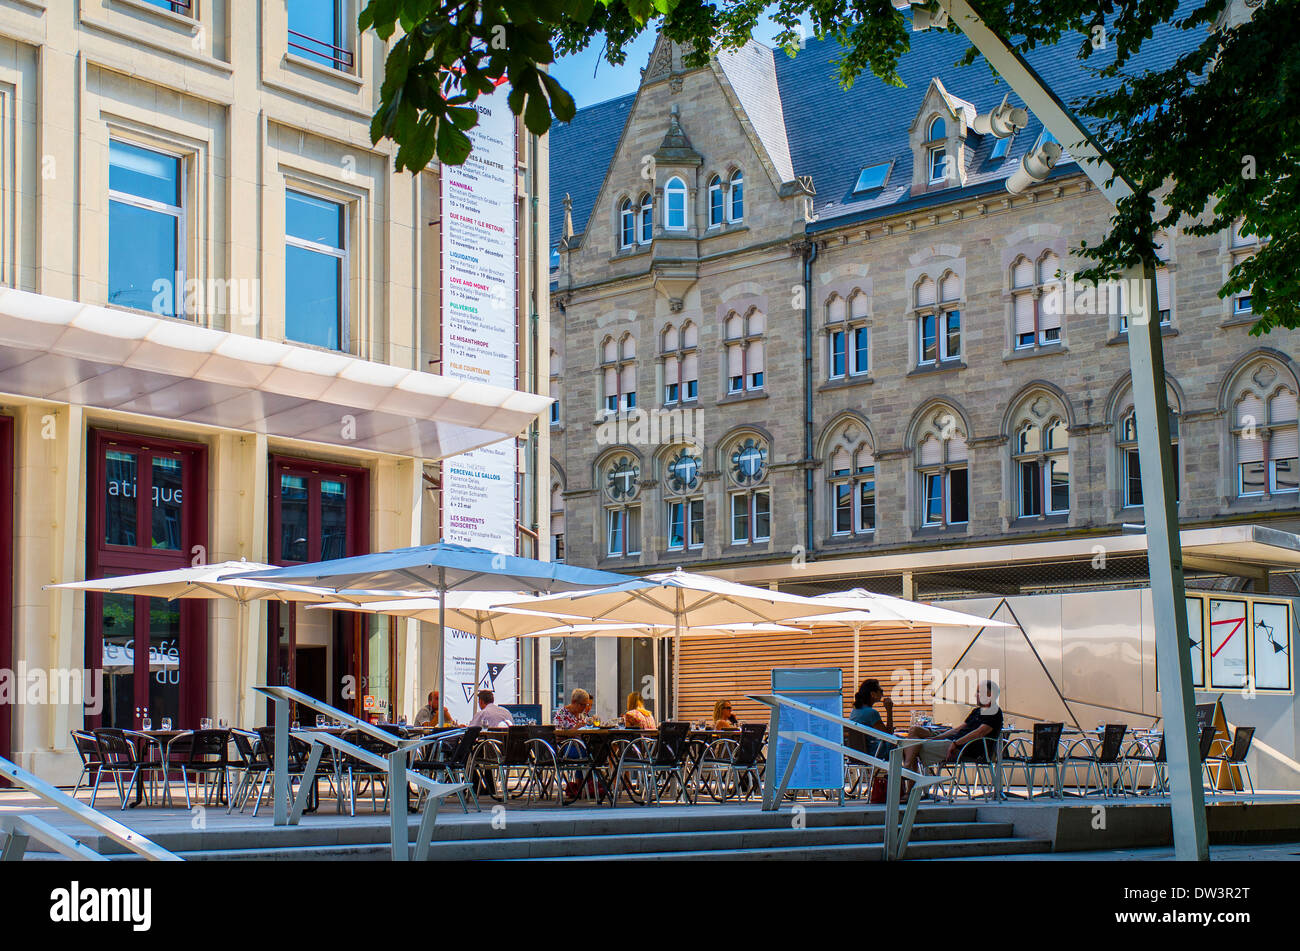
(149, 506)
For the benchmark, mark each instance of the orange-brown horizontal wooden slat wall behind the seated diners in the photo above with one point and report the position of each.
(733, 668)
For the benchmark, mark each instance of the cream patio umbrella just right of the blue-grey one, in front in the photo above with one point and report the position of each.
(681, 600)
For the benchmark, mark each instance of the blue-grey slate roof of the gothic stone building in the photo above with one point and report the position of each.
(833, 134)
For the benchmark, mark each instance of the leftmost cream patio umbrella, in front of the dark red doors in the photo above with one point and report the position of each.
(220, 580)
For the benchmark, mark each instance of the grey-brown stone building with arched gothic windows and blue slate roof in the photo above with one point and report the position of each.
(798, 328)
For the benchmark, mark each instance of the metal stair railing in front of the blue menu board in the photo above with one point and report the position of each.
(898, 831)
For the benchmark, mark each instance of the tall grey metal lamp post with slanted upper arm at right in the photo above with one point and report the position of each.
(1147, 362)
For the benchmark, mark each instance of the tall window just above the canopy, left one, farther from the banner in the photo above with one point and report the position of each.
(146, 229)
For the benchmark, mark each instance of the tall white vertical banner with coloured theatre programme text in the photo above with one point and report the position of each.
(480, 336)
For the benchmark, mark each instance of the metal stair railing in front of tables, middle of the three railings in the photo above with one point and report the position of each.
(289, 810)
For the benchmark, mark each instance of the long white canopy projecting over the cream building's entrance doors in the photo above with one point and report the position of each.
(135, 363)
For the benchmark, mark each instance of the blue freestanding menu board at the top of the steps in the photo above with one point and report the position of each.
(820, 688)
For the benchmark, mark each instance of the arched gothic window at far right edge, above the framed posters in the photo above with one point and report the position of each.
(1266, 438)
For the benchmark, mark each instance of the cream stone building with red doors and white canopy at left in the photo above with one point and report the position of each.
(222, 337)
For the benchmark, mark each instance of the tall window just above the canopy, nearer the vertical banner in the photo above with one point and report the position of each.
(317, 271)
